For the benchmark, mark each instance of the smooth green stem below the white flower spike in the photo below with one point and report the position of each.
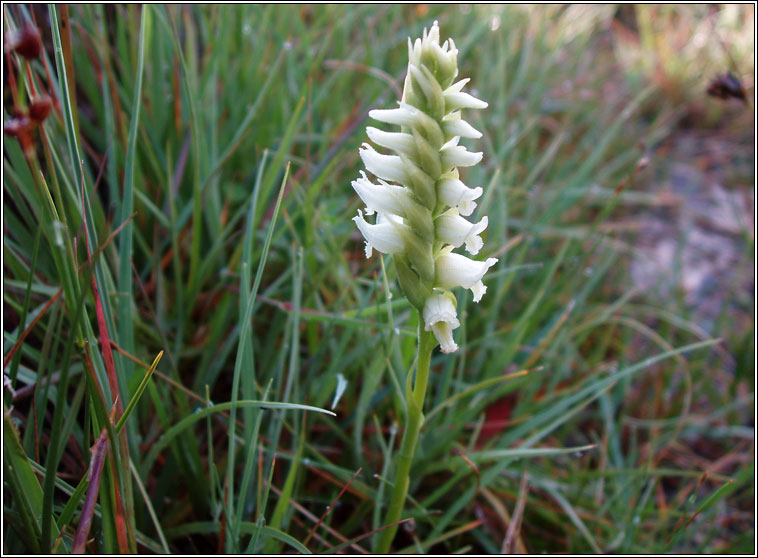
(414, 420)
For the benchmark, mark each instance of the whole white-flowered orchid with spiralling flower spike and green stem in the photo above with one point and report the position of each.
(421, 207)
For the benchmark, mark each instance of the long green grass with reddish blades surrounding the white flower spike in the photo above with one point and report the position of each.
(187, 203)
